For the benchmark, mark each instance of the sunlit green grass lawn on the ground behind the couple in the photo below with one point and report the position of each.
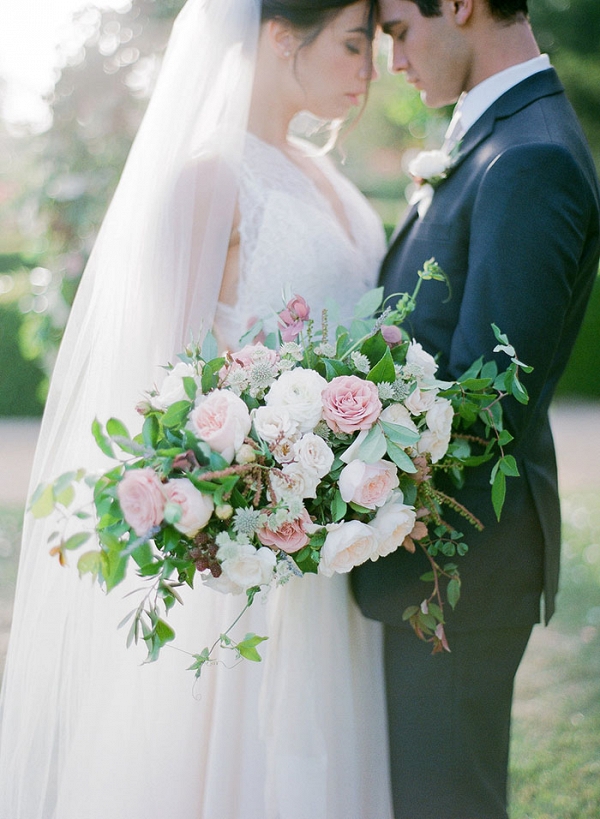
(555, 771)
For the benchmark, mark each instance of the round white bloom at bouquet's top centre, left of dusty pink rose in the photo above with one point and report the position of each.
(299, 392)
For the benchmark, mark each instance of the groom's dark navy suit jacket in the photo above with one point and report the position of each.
(516, 229)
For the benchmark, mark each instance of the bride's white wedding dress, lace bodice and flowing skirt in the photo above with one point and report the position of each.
(301, 735)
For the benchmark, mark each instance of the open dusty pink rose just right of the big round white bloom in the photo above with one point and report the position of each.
(350, 403)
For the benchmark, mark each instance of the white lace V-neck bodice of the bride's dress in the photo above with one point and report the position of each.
(292, 241)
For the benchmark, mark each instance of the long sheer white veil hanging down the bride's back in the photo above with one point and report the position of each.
(152, 279)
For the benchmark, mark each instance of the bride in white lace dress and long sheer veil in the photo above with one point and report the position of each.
(218, 211)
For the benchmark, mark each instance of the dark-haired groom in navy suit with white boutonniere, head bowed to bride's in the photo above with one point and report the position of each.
(515, 226)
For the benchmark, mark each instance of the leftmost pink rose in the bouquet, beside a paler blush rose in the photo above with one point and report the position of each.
(142, 499)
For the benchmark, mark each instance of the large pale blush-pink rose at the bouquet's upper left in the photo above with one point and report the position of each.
(223, 421)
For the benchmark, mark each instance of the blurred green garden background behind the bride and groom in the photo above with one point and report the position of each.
(60, 159)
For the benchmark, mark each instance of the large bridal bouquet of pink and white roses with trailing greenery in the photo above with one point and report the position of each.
(314, 450)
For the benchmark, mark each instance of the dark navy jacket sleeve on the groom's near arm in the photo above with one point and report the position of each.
(528, 229)
